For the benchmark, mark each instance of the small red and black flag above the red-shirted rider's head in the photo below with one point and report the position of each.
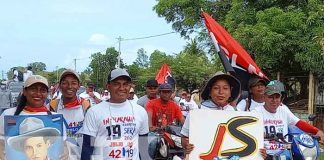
(165, 76)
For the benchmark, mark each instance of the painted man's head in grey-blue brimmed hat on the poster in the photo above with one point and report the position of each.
(34, 139)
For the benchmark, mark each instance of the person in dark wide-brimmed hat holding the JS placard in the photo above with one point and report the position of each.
(217, 94)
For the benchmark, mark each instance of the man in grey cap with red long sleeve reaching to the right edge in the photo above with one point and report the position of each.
(278, 117)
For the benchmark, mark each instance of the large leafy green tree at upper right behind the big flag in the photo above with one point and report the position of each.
(288, 33)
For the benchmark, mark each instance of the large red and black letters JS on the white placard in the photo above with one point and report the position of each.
(233, 128)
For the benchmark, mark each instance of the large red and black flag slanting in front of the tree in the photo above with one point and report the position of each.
(232, 54)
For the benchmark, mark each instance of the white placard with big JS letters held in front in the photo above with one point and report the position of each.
(221, 134)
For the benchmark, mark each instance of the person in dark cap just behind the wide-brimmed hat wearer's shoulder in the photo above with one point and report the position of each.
(256, 87)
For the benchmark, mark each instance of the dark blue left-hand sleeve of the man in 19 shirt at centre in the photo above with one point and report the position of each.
(87, 147)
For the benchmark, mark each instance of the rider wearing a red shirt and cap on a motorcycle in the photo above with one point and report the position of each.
(163, 111)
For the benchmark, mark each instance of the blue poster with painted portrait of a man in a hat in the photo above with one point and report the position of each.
(34, 137)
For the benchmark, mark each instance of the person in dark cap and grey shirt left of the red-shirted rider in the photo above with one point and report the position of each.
(151, 92)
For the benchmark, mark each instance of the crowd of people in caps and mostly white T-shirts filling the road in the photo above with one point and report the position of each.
(110, 125)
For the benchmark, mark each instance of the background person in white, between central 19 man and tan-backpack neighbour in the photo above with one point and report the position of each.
(93, 96)
